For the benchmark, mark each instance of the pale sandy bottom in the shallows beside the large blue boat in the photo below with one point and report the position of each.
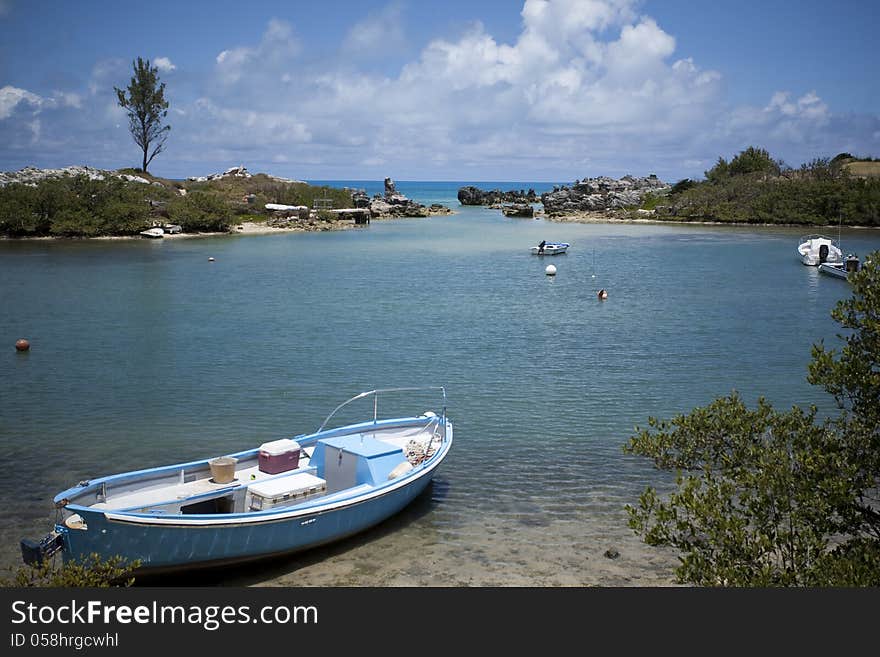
(422, 547)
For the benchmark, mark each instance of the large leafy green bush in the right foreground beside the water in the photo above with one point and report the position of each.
(769, 498)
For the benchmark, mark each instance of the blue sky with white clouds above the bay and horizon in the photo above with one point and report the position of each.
(529, 90)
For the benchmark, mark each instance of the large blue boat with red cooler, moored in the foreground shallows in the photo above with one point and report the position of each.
(281, 497)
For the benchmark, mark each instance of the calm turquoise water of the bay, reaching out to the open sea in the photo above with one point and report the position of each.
(144, 352)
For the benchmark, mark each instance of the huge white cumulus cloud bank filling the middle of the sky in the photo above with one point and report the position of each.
(582, 76)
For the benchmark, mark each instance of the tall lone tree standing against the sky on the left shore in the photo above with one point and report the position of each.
(147, 108)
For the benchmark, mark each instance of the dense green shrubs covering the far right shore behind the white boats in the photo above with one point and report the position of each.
(753, 188)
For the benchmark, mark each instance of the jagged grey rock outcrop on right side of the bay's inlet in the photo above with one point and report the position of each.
(600, 194)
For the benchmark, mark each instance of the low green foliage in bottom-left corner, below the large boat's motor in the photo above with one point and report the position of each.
(89, 572)
